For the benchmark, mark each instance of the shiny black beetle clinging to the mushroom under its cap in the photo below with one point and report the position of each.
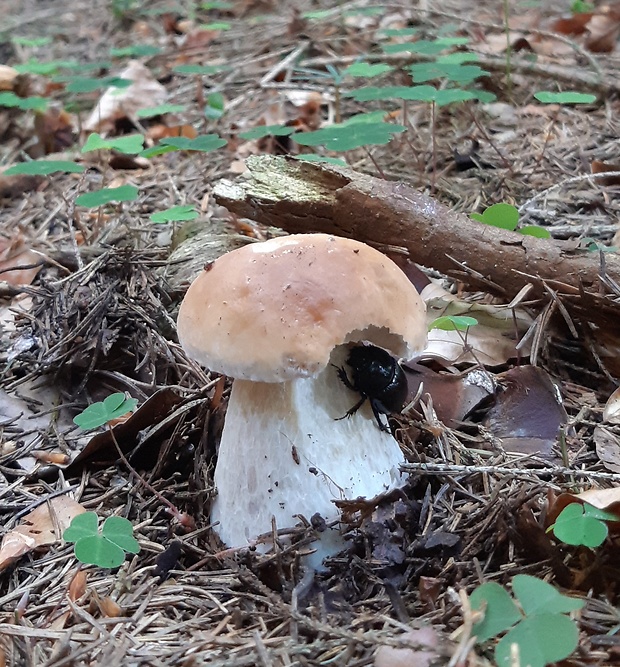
(378, 377)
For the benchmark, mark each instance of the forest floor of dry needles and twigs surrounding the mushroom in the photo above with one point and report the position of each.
(100, 318)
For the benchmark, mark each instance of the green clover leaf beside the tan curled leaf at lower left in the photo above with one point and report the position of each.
(106, 548)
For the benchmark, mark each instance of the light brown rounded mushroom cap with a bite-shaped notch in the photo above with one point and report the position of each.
(275, 310)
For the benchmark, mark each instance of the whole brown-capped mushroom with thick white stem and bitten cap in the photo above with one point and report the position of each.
(280, 317)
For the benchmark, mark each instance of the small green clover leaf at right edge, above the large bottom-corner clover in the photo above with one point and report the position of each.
(582, 525)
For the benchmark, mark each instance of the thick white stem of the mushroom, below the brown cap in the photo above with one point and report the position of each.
(284, 453)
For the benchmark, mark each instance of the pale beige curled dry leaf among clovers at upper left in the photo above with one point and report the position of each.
(116, 103)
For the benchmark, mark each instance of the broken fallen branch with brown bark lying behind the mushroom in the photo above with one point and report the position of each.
(301, 196)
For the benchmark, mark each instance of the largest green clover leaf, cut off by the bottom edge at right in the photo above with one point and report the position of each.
(538, 626)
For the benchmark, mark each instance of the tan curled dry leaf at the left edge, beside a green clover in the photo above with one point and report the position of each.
(41, 527)
